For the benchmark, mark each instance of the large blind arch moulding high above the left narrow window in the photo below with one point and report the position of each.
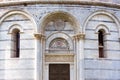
(12, 12)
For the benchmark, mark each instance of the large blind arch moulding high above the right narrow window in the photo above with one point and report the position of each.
(112, 16)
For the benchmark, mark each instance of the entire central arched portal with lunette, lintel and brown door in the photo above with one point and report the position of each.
(59, 54)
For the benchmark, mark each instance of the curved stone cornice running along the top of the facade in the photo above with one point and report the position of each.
(25, 3)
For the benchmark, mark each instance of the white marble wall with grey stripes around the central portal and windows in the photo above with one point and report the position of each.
(85, 19)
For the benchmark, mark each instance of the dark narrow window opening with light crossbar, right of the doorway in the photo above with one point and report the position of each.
(101, 43)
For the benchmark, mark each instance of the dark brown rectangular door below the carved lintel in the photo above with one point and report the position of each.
(59, 72)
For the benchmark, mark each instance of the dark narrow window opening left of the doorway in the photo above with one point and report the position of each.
(16, 43)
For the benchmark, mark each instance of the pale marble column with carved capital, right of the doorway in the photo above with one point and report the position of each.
(79, 38)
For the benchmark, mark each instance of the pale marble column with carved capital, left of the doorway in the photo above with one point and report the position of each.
(39, 56)
